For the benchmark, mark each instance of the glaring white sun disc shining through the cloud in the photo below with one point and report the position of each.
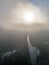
(28, 17)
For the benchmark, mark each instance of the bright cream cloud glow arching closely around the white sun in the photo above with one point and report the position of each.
(21, 7)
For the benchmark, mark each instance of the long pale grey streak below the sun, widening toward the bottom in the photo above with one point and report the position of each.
(33, 51)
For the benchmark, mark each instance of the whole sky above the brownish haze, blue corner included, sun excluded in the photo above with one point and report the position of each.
(11, 11)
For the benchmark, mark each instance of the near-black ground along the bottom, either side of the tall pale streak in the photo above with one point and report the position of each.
(19, 59)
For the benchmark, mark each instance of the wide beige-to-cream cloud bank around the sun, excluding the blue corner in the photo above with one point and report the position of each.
(11, 13)
